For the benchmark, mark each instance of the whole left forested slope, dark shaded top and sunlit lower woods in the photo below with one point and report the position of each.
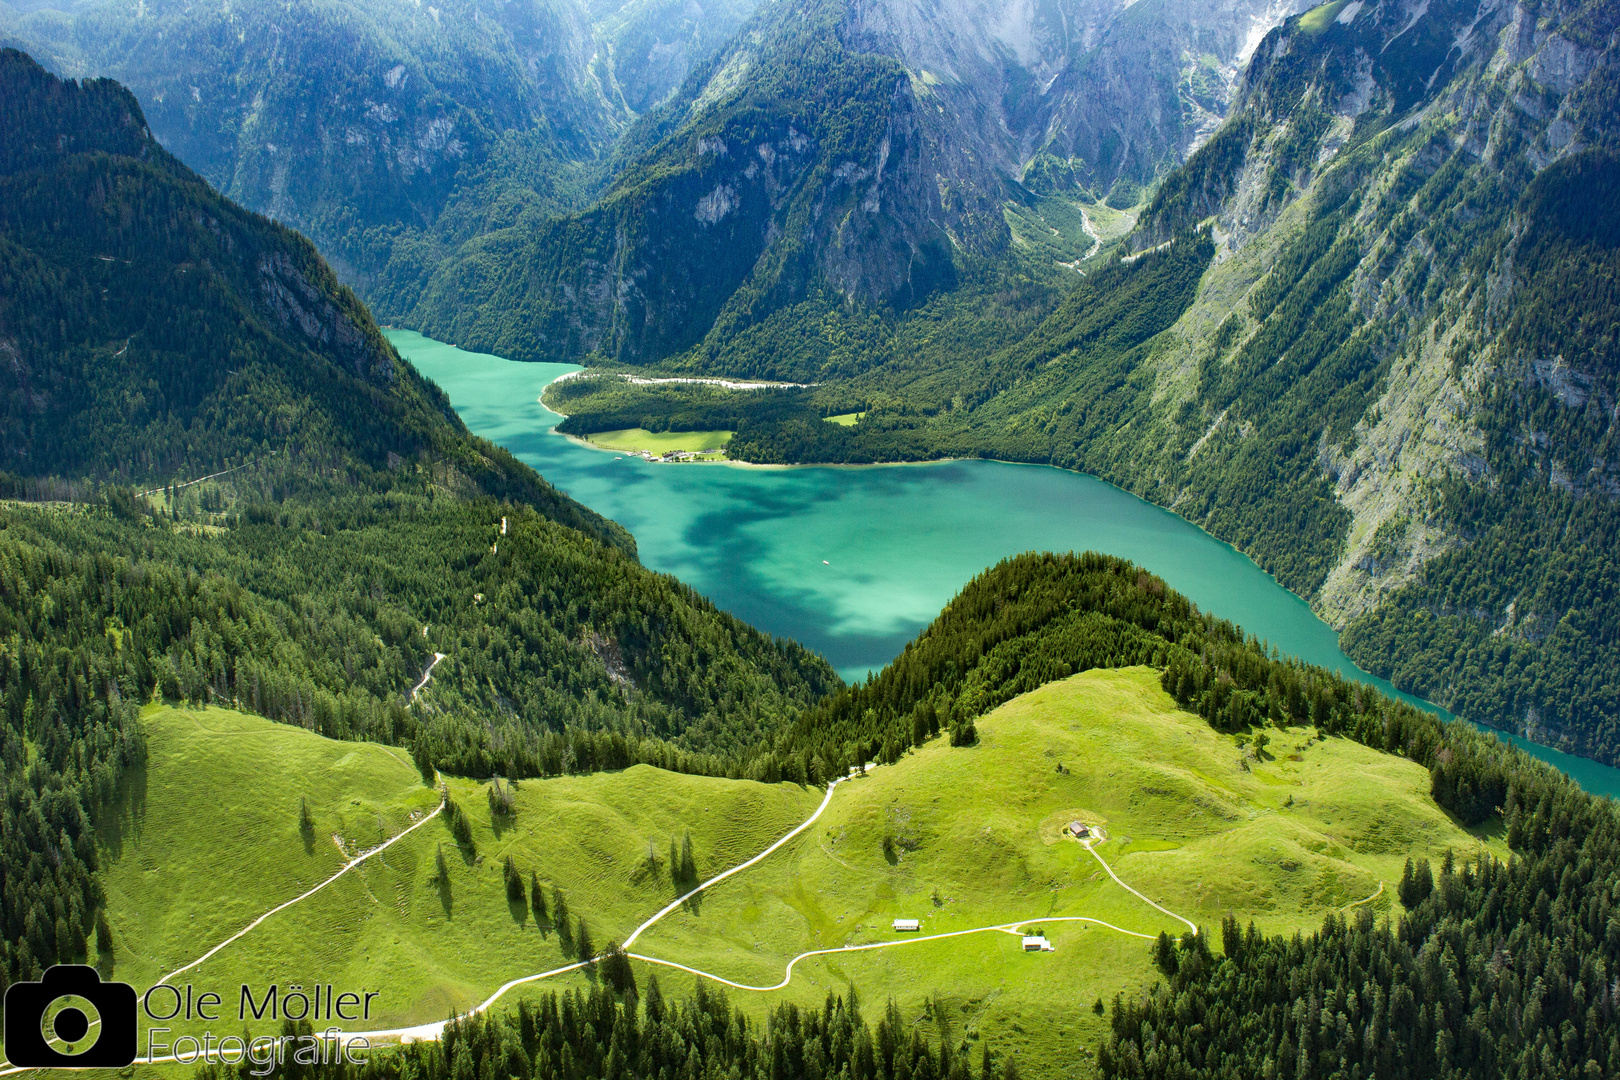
(356, 542)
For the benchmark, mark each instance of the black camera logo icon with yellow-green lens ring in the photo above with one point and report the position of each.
(70, 1019)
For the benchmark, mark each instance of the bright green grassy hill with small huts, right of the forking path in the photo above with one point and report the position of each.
(978, 841)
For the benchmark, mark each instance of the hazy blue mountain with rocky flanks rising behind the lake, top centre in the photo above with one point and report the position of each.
(848, 161)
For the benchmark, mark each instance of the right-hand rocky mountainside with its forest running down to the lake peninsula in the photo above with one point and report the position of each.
(1366, 334)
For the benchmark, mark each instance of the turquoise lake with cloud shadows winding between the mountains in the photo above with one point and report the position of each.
(855, 561)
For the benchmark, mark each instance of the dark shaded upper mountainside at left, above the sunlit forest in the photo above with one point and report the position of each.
(153, 330)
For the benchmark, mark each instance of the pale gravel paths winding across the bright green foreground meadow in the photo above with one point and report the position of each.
(437, 1029)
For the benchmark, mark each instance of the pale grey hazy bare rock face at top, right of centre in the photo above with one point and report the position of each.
(1111, 90)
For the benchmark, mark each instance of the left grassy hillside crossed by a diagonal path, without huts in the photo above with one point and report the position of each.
(213, 841)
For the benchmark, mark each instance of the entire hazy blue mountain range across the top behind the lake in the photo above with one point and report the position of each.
(428, 150)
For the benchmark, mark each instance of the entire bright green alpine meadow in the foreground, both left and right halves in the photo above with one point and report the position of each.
(957, 838)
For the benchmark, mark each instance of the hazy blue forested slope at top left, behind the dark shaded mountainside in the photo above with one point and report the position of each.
(388, 134)
